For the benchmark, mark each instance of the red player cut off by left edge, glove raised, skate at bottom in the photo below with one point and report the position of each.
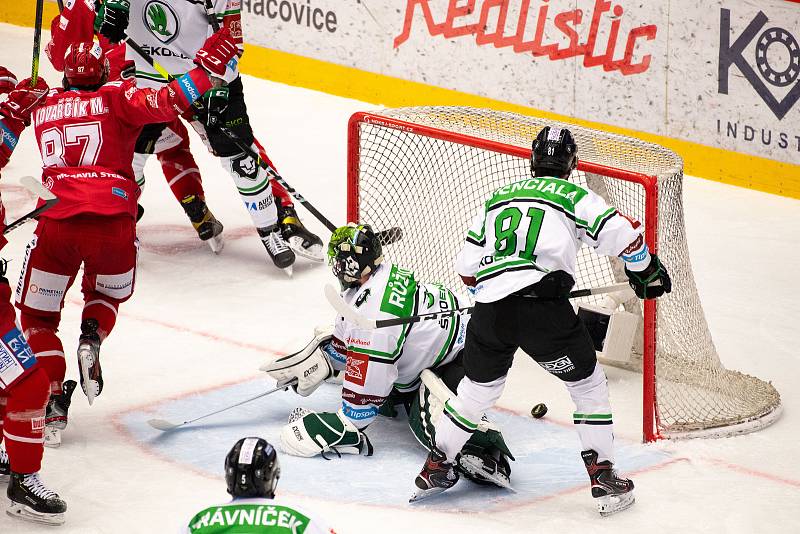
(24, 386)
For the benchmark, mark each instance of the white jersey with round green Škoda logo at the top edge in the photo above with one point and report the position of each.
(172, 33)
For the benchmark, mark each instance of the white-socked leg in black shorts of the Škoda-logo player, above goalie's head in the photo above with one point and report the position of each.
(251, 180)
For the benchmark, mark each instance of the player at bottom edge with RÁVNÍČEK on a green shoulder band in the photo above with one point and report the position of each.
(252, 471)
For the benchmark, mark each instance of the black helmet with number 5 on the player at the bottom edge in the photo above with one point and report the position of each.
(252, 469)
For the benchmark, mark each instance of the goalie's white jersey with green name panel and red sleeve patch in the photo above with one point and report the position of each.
(378, 360)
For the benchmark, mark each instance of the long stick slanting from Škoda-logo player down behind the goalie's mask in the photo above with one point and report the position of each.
(387, 237)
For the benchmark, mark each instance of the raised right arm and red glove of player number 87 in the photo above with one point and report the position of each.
(144, 106)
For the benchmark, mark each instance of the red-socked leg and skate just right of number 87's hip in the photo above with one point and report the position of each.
(183, 176)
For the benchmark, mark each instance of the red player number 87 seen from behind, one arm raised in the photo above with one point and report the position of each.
(86, 134)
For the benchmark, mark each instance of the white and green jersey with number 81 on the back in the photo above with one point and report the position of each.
(537, 225)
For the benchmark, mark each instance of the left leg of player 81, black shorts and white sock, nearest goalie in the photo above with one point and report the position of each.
(488, 354)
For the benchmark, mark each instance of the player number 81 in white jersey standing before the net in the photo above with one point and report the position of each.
(519, 258)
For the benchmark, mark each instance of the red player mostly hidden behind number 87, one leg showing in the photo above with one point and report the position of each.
(75, 24)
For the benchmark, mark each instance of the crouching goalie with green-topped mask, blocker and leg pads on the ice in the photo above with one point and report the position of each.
(383, 367)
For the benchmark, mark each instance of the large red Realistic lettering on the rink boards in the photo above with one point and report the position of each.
(521, 24)
